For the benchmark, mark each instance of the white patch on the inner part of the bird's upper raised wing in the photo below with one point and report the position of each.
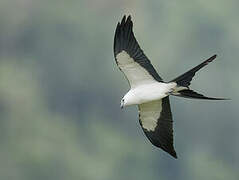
(135, 73)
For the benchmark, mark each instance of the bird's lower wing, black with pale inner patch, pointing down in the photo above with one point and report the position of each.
(156, 120)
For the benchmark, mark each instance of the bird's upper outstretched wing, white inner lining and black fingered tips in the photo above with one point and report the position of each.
(130, 57)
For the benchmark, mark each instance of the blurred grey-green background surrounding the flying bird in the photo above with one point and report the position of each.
(60, 90)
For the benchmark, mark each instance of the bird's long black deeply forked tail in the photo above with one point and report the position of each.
(185, 79)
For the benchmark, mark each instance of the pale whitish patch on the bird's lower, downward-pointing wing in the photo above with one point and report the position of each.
(149, 114)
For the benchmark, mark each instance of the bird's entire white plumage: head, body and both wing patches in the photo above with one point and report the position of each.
(146, 92)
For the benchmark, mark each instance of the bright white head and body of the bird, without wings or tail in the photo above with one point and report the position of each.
(148, 92)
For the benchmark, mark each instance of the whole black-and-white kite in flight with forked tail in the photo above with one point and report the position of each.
(147, 88)
